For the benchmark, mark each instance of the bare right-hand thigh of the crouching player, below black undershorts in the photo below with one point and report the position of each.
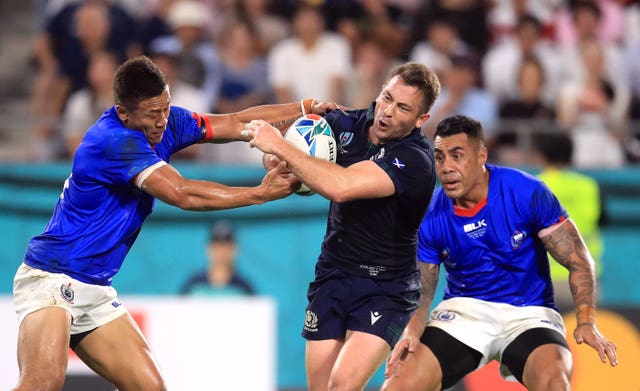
(548, 367)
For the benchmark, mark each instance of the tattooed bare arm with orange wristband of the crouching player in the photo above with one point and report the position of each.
(566, 245)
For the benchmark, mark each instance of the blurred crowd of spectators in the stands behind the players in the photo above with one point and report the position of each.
(519, 66)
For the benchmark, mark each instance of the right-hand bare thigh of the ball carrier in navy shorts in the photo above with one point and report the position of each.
(359, 358)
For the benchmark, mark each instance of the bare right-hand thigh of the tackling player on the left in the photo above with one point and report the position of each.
(119, 352)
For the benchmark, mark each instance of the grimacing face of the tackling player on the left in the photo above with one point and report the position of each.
(150, 117)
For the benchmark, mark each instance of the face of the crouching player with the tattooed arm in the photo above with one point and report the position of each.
(460, 168)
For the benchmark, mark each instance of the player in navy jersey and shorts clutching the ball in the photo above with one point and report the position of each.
(367, 281)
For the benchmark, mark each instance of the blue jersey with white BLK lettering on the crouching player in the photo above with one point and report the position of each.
(492, 252)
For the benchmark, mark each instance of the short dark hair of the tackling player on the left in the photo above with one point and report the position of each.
(136, 80)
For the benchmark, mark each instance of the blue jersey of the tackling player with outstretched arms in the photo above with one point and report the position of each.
(100, 210)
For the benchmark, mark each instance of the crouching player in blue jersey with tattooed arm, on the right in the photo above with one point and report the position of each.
(491, 228)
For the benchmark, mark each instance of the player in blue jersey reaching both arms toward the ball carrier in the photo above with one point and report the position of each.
(63, 291)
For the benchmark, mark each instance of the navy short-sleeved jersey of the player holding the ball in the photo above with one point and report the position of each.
(377, 238)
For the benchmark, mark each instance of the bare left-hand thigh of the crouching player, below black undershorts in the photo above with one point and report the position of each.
(420, 372)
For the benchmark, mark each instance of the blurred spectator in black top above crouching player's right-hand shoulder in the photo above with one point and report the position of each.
(522, 117)
